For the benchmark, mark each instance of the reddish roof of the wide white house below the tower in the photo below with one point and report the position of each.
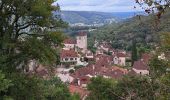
(68, 53)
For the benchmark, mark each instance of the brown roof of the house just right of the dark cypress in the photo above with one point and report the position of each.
(140, 65)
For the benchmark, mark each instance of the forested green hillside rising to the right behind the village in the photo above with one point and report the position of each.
(142, 28)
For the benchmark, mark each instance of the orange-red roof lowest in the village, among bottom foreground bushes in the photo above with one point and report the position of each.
(75, 89)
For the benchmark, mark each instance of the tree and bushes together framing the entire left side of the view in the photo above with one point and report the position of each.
(29, 31)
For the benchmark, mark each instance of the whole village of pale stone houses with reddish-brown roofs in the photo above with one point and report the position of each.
(78, 64)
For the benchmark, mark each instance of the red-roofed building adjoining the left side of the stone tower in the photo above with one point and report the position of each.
(69, 44)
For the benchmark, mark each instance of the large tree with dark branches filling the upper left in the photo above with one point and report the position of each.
(28, 31)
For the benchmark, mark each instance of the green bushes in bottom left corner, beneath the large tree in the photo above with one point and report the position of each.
(23, 87)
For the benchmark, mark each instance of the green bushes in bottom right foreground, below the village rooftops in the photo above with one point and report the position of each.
(136, 87)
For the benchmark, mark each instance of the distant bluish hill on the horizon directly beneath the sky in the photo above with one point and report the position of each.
(93, 18)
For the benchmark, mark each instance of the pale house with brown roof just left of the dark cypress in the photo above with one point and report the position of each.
(119, 59)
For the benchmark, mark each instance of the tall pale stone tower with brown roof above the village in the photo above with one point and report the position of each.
(82, 40)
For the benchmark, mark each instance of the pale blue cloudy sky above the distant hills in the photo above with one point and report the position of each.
(99, 5)
